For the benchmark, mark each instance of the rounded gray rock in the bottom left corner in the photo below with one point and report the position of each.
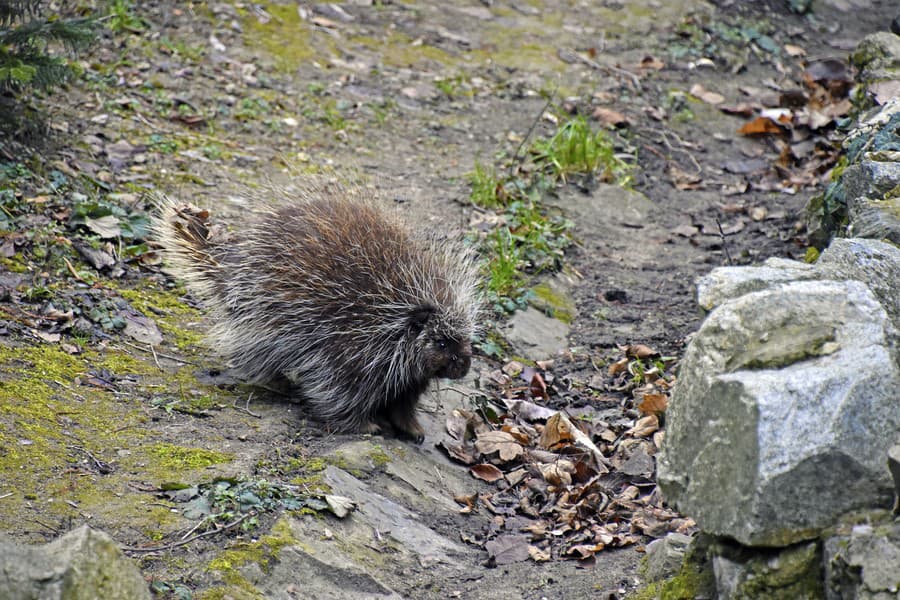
(84, 564)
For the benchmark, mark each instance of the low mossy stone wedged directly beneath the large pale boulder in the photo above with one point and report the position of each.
(789, 574)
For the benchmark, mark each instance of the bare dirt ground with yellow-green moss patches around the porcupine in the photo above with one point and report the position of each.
(206, 100)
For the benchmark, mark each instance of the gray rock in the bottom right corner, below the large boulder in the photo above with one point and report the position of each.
(864, 564)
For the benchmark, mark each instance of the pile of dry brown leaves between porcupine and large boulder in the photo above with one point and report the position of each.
(571, 481)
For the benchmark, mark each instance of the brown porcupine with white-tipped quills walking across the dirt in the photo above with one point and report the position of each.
(334, 294)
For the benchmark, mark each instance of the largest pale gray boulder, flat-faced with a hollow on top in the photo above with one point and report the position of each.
(785, 408)
